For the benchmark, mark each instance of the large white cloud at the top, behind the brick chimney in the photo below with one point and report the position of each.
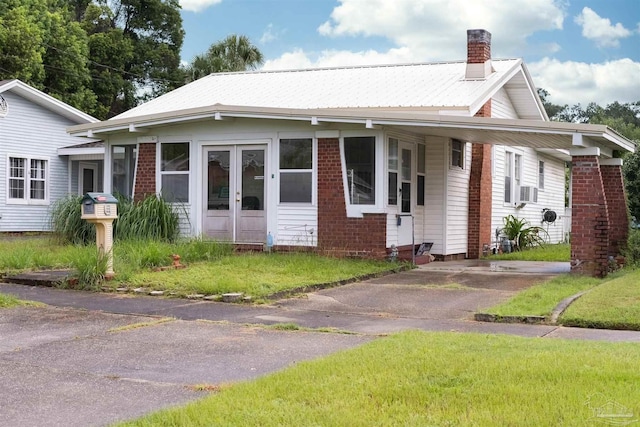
(432, 28)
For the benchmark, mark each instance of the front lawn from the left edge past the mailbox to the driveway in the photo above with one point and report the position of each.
(211, 267)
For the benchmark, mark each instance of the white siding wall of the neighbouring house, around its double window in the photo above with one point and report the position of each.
(32, 131)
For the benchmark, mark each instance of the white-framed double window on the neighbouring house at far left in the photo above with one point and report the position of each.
(27, 179)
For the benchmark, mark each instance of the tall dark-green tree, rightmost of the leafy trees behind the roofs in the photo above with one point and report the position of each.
(147, 36)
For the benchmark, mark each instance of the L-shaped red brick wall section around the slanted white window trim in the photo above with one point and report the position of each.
(337, 234)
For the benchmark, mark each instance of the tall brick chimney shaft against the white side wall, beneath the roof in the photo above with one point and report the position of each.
(480, 194)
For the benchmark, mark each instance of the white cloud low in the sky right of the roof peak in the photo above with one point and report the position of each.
(577, 82)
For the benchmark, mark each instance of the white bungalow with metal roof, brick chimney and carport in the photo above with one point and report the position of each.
(355, 160)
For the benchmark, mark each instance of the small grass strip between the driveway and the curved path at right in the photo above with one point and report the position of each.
(541, 299)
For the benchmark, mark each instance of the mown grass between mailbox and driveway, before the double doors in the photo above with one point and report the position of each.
(258, 275)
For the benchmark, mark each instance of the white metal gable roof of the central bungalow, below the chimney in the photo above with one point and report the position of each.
(427, 87)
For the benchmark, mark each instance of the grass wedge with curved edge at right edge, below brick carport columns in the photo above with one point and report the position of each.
(614, 304)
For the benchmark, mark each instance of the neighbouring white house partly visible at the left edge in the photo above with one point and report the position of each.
(32, 173)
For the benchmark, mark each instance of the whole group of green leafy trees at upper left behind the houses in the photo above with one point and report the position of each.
(101, 56)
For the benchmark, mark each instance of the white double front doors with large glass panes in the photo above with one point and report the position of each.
(235, 193)
